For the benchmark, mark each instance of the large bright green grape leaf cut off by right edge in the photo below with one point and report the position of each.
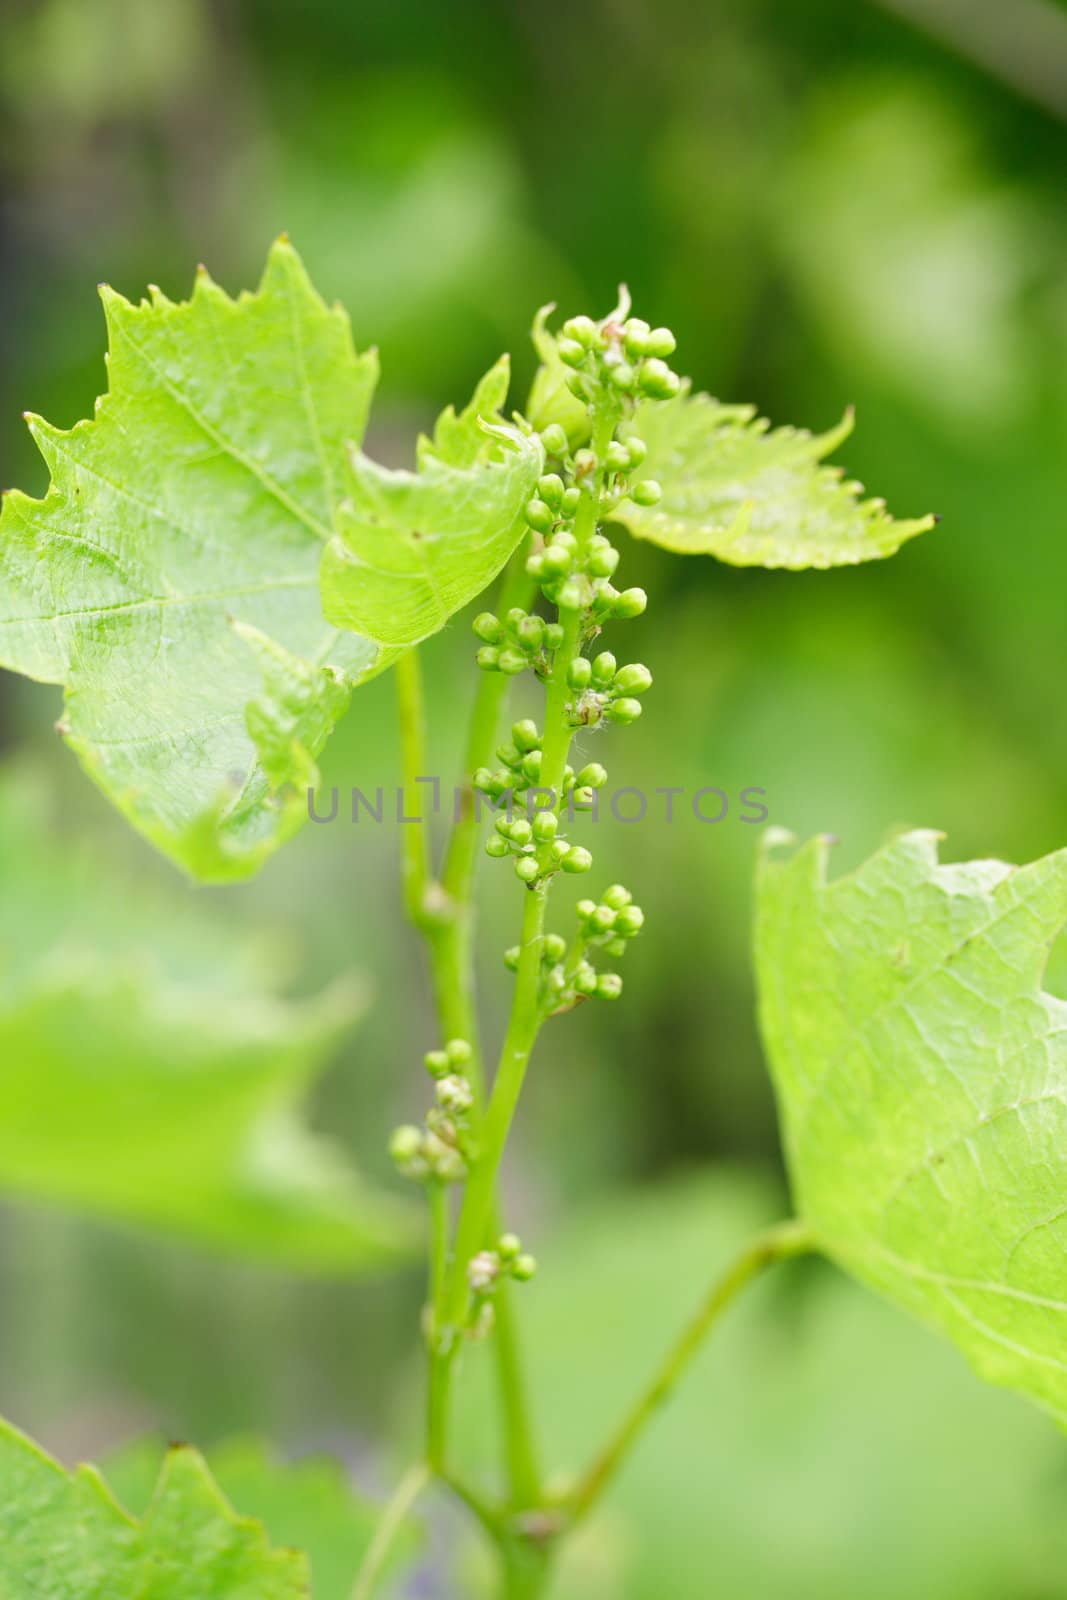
(922, 1076)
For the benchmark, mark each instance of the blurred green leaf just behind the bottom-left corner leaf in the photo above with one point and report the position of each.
(308, 1505)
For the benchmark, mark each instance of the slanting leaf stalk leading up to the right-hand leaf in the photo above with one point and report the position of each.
(777, 1244)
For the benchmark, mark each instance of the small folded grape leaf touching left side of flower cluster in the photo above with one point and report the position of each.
(414, 548)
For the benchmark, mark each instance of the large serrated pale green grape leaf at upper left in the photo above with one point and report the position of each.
(199, 498)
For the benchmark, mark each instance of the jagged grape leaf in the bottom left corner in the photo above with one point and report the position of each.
(63, 1537)
